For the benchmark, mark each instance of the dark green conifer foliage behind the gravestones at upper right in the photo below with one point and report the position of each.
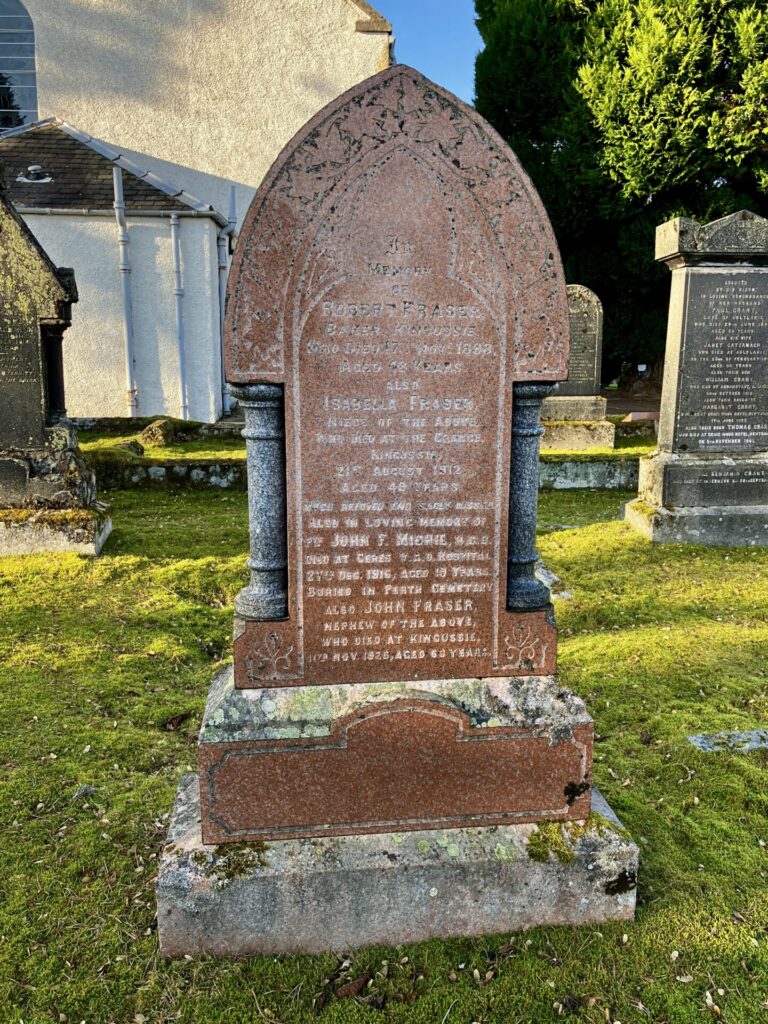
(627, 113)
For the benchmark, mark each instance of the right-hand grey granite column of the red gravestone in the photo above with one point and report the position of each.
(525, 592)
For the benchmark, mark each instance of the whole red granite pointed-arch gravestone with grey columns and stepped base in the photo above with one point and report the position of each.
(393, 728)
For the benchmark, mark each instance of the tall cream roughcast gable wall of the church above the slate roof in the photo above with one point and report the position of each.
(204, 94)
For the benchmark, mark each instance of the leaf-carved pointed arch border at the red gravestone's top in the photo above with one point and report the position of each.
(399, 110)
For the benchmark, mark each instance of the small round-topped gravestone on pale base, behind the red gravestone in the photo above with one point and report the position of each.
(575, 417)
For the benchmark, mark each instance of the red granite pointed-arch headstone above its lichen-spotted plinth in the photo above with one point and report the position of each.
(397, 276)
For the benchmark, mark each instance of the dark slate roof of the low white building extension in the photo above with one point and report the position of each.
(81, 173)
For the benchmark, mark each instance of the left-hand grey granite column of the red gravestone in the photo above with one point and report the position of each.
(266, 598)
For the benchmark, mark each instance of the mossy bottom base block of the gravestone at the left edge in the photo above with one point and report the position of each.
(35, 532)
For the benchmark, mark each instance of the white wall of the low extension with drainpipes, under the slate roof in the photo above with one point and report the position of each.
(94, 349)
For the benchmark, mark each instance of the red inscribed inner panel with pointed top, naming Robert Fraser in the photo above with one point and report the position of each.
(404, 425)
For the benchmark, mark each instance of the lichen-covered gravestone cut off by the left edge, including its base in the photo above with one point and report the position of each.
(47, 491)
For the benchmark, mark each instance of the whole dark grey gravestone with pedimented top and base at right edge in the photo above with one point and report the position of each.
(708, 482)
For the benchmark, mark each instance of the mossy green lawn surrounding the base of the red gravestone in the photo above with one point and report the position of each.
(102, 663)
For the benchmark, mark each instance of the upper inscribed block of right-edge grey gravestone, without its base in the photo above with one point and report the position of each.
(716, 372)
